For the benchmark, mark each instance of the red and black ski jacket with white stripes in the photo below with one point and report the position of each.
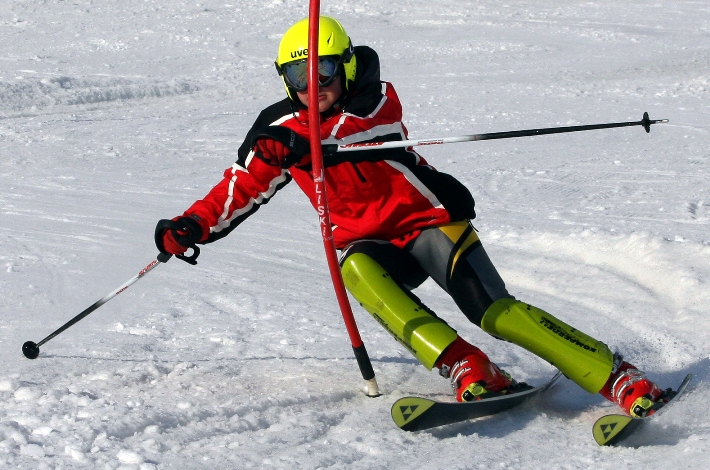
(372, 194)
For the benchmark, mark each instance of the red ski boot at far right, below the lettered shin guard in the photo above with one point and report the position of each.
(629, 388)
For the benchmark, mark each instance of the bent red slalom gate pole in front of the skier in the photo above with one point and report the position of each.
(361, 355)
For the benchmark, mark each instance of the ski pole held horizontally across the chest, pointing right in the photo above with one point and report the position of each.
(331, 149)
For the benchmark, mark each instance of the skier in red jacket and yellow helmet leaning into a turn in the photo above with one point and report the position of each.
(397, 221)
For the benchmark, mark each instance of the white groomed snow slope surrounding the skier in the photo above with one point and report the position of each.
(116, 114)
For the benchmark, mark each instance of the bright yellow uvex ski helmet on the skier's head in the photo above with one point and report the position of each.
(333, 43)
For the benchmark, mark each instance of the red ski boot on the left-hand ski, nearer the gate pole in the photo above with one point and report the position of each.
(473, 376)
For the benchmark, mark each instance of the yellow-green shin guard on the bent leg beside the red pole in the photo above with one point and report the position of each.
(424, 335)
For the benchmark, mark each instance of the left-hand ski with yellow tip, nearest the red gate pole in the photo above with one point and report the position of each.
(416, 413)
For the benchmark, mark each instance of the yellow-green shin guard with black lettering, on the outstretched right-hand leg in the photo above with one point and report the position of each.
(581, 358)
